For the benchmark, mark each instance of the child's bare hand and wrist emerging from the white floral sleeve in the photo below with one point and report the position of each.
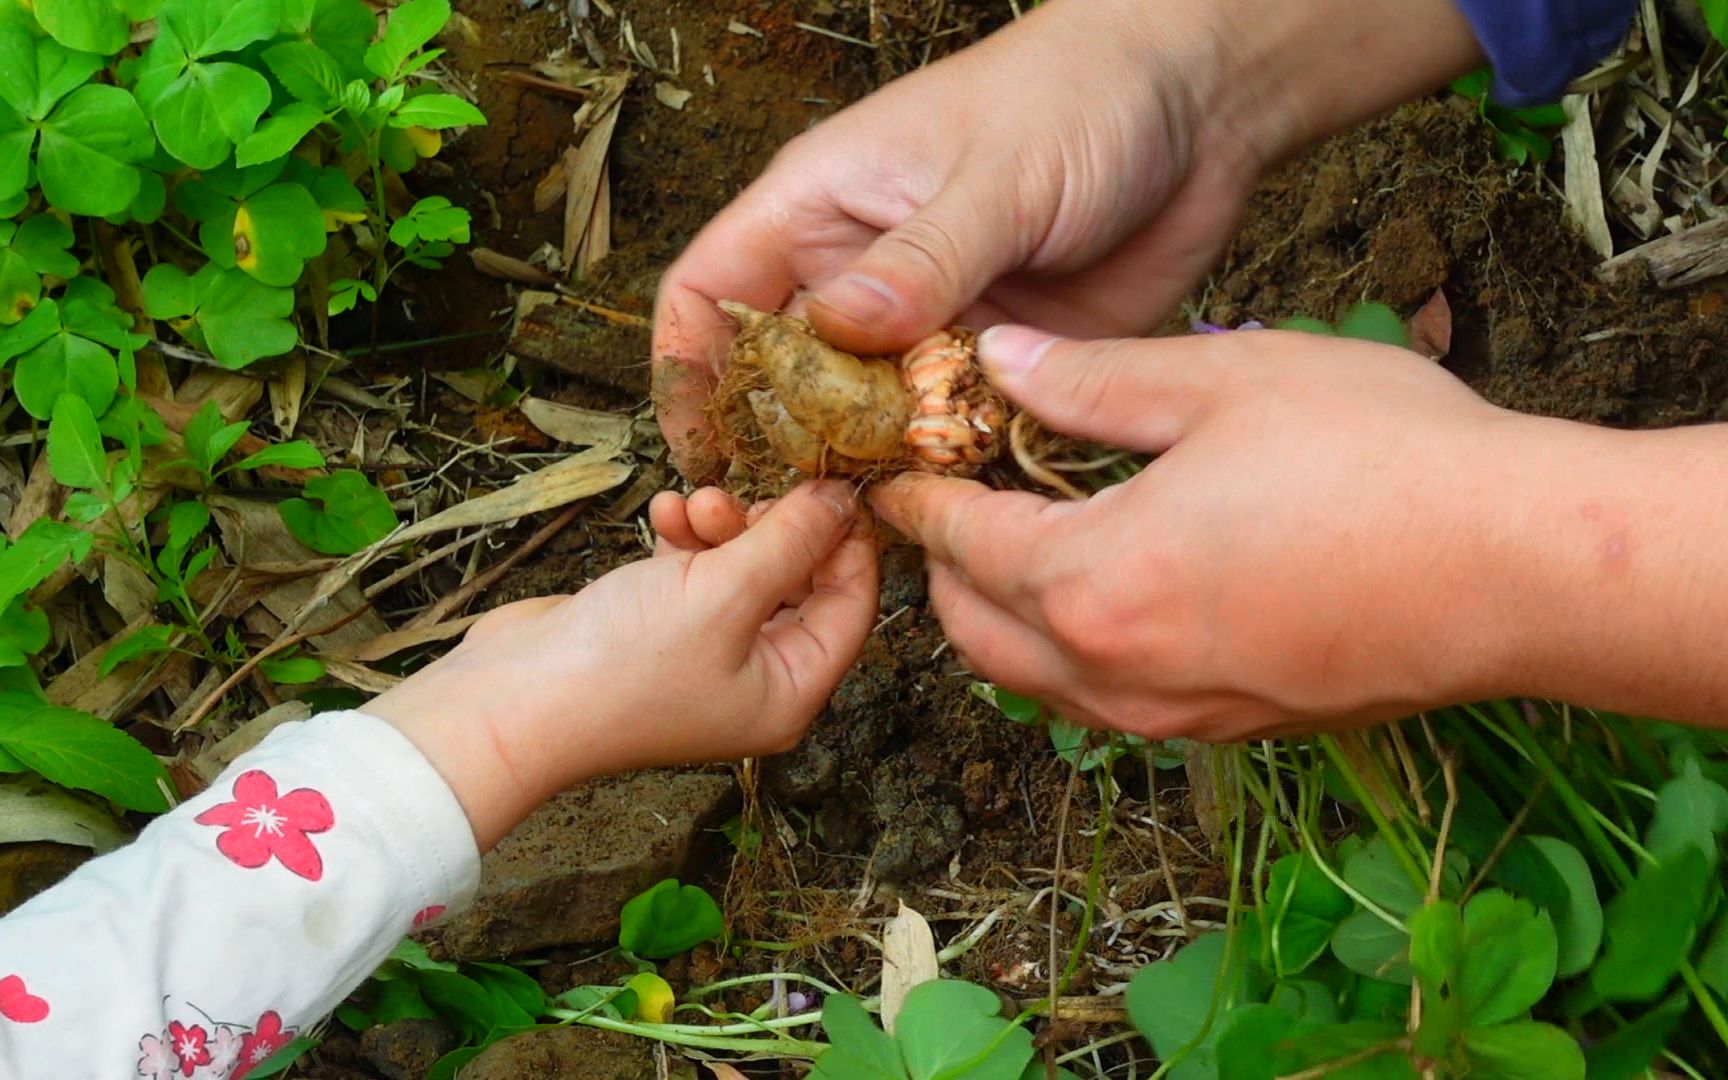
(723, 647)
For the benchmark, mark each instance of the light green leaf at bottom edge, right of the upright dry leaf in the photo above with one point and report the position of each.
(951, 1029)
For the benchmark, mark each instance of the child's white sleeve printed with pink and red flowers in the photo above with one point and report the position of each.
(241, 917)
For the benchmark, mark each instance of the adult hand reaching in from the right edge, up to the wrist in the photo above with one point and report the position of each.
(1316, 543)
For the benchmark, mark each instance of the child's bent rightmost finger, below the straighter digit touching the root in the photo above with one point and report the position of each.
(820, 642)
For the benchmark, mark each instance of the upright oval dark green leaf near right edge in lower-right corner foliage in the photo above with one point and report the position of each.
(1651, 927)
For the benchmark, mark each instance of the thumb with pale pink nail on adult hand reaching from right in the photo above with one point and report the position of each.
(1129, 393)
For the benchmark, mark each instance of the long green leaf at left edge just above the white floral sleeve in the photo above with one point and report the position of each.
(77, 751)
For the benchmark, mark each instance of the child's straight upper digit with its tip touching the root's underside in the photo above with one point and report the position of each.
(782, 552)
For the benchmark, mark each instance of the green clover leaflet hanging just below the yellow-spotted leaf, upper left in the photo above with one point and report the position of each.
(224, 310)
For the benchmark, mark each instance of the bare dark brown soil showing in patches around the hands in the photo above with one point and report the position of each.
(910, 780)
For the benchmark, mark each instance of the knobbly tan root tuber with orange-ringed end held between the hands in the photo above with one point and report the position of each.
(792, 400)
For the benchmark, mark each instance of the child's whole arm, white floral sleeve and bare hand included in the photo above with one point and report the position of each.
(255, 908)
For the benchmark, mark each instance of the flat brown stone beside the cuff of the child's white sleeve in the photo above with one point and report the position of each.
(564, 874)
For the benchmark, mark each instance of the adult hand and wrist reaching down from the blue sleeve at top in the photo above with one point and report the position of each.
(1079, 172)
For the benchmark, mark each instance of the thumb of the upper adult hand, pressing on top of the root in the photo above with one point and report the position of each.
(922, 274)
